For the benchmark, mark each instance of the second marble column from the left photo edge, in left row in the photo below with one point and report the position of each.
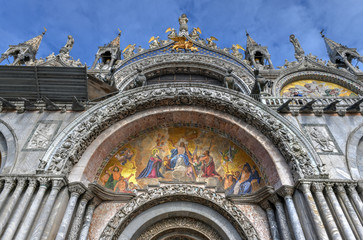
(6, 213)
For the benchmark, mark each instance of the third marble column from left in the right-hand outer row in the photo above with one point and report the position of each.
(346, 229)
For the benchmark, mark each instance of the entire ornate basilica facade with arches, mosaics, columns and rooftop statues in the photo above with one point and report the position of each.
(183, 140)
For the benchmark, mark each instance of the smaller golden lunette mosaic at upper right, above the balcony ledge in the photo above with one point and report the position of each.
(315, 88)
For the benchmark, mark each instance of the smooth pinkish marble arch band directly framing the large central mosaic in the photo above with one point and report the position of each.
(269, 160)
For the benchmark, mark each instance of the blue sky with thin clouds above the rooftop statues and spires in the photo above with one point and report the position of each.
(269, 22)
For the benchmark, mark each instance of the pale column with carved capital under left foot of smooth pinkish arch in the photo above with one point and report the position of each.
(76, 189)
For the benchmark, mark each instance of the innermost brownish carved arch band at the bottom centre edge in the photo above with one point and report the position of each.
(182, 222)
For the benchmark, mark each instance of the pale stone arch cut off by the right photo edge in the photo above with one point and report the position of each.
(353, 149)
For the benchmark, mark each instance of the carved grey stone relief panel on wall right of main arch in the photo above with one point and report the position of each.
(322, 139)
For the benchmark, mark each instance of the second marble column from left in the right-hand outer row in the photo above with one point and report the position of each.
(328, 218)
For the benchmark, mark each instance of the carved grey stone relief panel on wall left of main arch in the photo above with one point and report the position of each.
(42, 135)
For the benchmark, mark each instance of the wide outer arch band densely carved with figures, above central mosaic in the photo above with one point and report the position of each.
(69, 145)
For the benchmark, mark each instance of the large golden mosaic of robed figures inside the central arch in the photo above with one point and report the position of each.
(181, 154)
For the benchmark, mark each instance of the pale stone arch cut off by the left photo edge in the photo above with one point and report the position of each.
(8, 147)
